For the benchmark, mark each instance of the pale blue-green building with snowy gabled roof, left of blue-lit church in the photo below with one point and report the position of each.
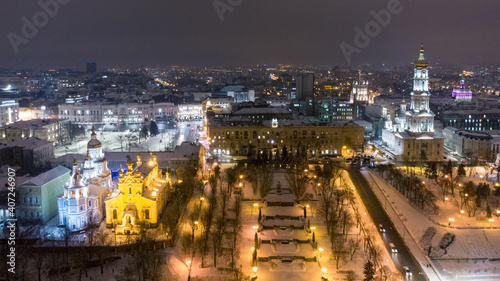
(38, 195)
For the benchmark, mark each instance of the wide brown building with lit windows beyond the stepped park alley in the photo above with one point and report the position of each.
(233, 138)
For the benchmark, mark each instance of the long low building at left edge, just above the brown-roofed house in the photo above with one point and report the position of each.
(54, 130)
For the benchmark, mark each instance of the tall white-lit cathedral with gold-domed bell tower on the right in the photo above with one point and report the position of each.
(411, 136)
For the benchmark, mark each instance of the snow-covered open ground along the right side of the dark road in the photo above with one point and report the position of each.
(468, 244)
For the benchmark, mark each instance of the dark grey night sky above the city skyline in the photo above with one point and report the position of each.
(139, 33)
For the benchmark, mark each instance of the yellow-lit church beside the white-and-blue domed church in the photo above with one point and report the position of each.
(140, 198)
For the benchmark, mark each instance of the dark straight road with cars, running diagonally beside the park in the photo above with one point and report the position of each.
(379, 216)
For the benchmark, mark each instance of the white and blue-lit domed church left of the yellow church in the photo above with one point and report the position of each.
(82, 203)
